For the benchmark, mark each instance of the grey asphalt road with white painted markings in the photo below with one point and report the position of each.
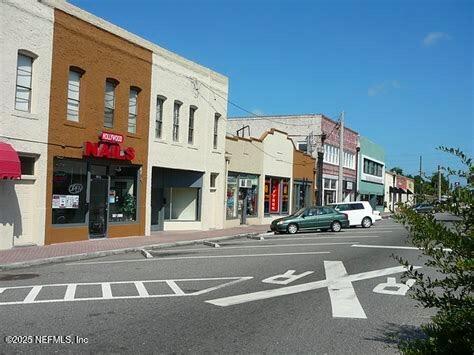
(202, 299)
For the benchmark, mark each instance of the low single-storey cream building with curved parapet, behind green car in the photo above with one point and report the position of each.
(259, 178)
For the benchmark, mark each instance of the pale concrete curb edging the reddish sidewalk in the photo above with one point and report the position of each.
(100, 254)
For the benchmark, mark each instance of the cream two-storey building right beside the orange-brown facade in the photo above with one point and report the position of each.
(186, 145)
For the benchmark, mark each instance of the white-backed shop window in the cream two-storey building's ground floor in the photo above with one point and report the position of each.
(181, 203)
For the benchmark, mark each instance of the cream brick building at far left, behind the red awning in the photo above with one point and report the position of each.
(26, 34)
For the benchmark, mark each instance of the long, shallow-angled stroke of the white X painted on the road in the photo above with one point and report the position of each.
(289, 290)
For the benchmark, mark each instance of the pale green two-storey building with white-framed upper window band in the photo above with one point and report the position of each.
(371, 172)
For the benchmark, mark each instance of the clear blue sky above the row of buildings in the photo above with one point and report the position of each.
(402, 71)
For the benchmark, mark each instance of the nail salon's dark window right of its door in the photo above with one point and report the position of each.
(123, 194)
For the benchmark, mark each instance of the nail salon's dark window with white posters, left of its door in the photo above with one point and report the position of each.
(69, 191)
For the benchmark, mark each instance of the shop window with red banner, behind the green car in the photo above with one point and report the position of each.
(276, 195)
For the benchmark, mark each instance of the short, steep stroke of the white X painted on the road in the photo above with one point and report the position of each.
(344, 301)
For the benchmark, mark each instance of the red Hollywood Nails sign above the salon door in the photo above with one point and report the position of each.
(108, 147)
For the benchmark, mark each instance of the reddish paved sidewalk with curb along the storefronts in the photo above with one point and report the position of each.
(19, 257)
